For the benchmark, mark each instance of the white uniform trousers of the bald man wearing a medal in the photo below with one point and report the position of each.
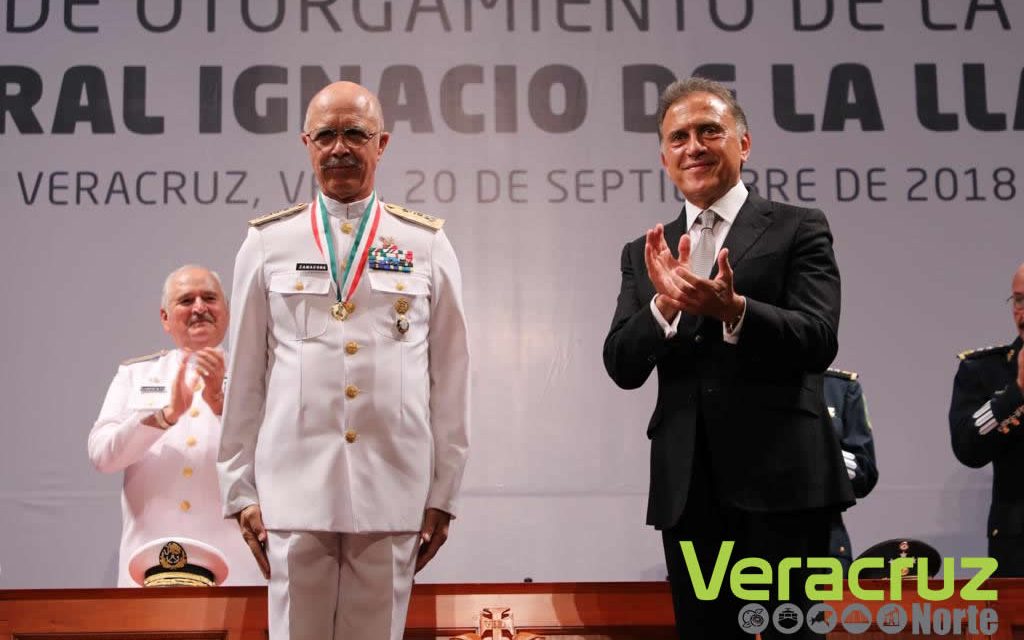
(328, 586)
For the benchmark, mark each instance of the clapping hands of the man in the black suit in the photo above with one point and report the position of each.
(680, 289)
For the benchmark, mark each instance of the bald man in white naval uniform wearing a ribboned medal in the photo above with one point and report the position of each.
(346, 430)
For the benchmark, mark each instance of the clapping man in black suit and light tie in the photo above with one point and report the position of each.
(740, 322)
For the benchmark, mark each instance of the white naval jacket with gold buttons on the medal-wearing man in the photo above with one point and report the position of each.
(347, 426)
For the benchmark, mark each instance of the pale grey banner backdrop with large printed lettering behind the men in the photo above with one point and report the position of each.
(141, 136)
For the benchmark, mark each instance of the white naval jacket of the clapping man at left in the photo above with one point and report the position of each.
(170, 482)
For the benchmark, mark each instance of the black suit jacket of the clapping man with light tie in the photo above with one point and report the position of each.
(771, 441)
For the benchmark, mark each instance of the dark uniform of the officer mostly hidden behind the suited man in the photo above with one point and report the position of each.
(849, 413)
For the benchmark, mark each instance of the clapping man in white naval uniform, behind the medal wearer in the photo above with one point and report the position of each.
(160, 424)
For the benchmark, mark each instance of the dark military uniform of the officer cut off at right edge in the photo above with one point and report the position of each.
(985, 422)
